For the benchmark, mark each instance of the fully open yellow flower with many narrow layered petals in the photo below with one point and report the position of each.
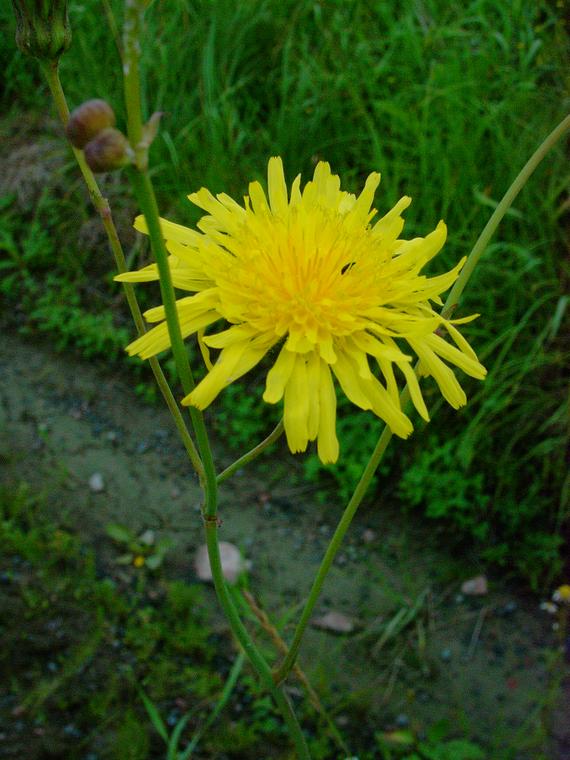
(308, 273)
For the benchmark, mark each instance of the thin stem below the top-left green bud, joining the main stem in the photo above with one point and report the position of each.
(101, 204)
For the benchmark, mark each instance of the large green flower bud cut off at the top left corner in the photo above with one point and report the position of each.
(42, 28)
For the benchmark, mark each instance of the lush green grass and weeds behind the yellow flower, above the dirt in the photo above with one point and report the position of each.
(447, 100)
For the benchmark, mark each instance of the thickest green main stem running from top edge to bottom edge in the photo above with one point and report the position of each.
(144, 191)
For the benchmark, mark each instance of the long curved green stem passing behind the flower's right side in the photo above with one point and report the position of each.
(283, 670)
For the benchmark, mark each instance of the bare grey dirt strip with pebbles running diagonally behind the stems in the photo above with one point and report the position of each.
(480, 662)
